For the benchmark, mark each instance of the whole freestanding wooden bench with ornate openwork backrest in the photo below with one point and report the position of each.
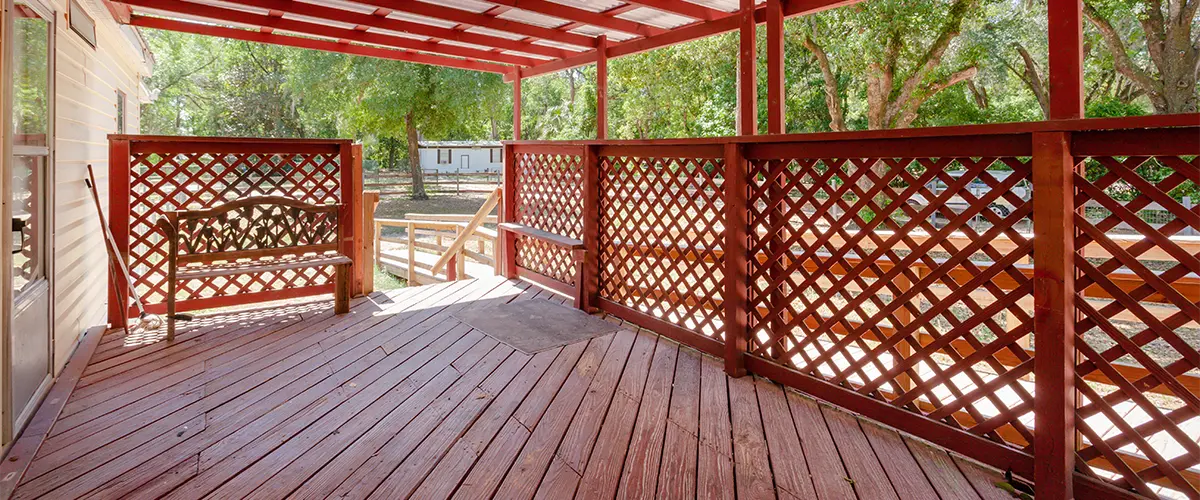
(251, 236)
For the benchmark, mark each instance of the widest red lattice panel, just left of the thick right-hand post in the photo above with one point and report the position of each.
(908, 280)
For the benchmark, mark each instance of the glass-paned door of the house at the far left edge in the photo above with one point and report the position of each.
(28, 170)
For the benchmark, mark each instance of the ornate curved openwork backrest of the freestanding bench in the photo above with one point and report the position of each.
(253, 228)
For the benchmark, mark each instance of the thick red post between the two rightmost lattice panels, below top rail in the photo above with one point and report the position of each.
(1054, 316)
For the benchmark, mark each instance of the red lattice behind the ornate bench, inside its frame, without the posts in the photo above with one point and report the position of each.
(190, 182)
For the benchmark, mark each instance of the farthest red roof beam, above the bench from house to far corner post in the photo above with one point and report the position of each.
(315, 45)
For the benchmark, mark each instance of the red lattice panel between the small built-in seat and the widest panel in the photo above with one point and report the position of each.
(662, 232)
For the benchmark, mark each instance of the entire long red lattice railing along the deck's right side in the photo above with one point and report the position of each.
(824, 262)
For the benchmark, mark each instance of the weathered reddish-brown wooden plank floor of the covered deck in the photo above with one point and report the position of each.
(399, 400)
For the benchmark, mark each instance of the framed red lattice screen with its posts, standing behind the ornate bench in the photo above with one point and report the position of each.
(152, 176)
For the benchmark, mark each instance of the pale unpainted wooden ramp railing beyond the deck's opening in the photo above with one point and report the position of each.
(422, 262)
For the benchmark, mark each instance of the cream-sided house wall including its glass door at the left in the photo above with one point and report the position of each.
(73, 75)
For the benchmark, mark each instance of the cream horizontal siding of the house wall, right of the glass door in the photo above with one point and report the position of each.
(87, 82)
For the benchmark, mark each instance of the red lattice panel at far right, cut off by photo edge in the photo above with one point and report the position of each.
(1139, 323)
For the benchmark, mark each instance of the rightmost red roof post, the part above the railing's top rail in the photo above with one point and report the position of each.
(1066, 58)
